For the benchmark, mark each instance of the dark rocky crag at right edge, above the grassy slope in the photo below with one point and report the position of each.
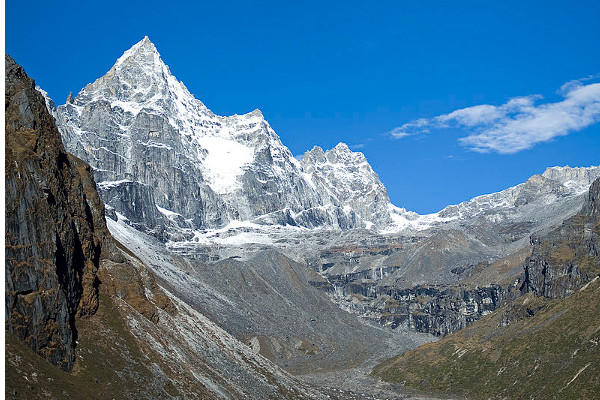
(568, 257)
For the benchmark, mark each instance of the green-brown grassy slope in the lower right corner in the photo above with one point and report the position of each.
(553, 354)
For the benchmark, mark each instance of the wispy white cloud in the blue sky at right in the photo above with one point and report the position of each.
(518, 124)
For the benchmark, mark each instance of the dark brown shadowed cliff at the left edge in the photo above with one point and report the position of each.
(54, 227)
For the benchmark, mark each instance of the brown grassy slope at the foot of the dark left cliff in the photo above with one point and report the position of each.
(109, 365)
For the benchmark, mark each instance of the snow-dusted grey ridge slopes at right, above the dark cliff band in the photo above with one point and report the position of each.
(447, 247)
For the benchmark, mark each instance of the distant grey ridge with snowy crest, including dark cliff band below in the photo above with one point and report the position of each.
(446, 270)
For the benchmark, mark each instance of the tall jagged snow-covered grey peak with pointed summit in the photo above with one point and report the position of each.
(157, 152)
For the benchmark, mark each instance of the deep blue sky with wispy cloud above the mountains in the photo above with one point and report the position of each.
(476, 94)
